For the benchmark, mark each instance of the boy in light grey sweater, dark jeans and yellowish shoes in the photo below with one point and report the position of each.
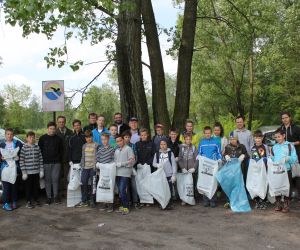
(124, 159)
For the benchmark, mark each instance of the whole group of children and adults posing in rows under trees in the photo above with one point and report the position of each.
(129, 146)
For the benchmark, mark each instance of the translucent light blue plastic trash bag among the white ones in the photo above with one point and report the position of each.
(231, 180)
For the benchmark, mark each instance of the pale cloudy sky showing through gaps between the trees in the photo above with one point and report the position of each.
(23, 58)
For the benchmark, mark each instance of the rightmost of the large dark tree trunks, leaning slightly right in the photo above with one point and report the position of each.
(185, 56)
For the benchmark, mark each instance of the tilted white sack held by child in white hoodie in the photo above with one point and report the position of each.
(157, 185)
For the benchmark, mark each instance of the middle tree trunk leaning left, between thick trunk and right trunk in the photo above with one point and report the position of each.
(159, 99)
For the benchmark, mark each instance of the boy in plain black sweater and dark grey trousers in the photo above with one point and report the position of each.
(52, 148)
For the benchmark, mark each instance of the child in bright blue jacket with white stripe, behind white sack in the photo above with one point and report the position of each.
(209, 148)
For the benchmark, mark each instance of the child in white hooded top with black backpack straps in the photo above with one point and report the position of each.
(164, 158)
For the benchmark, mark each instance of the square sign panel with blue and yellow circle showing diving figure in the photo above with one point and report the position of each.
(53, 96)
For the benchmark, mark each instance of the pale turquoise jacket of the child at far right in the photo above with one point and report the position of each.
(281, 151)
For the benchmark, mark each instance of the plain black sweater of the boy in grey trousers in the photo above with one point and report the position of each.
(52, 148)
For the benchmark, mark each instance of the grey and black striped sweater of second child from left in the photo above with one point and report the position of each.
(31, 160)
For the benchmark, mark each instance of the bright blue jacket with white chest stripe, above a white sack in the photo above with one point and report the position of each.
(210, 148)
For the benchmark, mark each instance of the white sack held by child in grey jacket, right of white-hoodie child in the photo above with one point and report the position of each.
(185, 188)
